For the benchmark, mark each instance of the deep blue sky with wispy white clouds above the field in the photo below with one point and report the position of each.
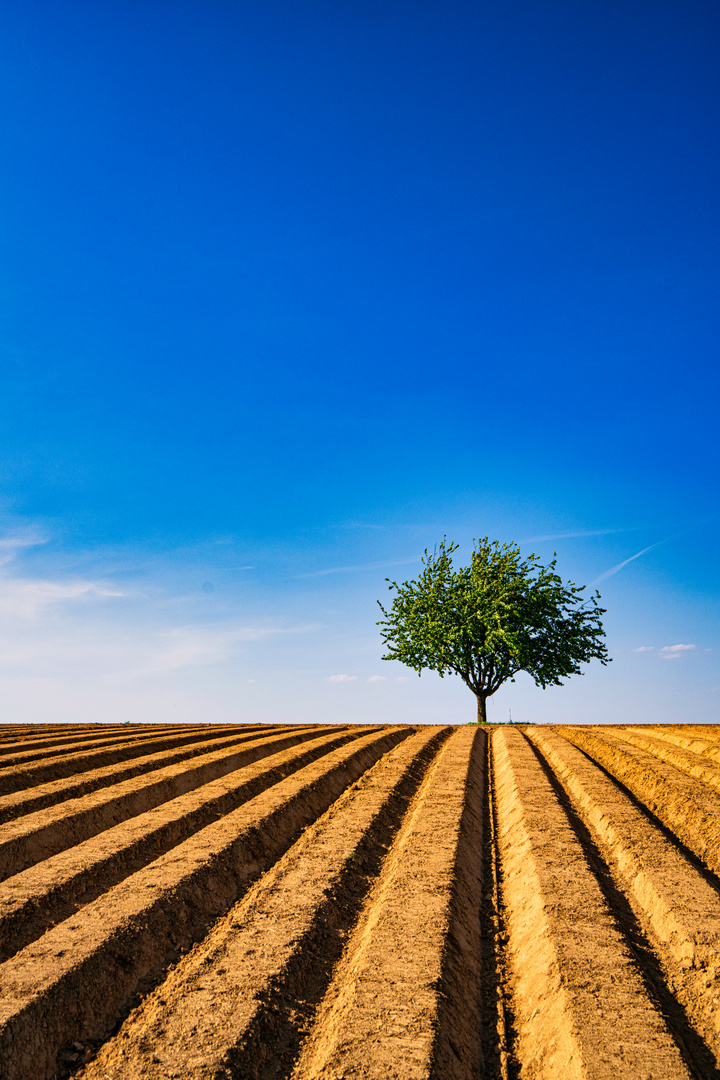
(291, 291)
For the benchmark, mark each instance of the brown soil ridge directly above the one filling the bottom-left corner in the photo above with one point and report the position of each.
(45, 895)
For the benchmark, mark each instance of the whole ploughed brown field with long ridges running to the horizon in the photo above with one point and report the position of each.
(345, 902)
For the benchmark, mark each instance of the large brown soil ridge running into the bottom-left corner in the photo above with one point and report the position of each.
(74, 982)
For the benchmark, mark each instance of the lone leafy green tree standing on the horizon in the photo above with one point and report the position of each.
(491, 620)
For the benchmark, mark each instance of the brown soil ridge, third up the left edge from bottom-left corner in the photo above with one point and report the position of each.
(37, 836)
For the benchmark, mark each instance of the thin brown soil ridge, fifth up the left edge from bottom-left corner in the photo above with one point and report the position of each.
(20, 779)
